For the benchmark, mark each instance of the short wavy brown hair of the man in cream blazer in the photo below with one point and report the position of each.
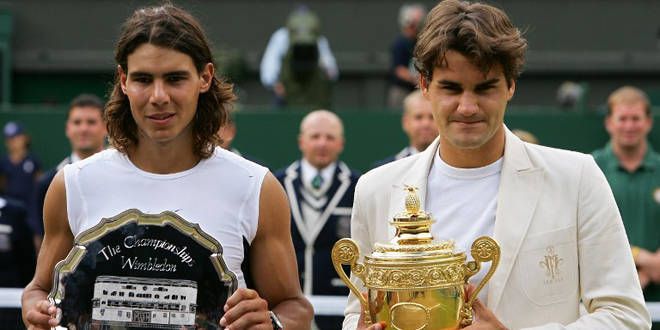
(482, 33)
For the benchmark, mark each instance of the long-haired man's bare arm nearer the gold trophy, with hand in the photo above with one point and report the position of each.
(275, 272)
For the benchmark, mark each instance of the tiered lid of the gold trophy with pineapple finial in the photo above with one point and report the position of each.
(413, 239)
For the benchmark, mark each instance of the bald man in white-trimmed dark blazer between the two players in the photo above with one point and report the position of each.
(320, 190)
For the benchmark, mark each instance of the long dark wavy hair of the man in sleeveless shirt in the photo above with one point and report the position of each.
(169, 27)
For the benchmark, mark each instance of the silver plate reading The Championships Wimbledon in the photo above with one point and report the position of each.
(143, 271)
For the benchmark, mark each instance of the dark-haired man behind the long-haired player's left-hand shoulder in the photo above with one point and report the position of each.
(86, 132)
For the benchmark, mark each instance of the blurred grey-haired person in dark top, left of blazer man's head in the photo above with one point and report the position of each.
(403, 75)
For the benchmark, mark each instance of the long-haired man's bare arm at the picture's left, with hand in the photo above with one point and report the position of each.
(58, 240)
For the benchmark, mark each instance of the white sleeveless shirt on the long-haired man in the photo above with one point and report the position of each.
(220, 193)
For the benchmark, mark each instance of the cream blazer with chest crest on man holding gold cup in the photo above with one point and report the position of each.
(550, 201)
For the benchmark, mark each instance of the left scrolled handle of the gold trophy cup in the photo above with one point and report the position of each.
(346, 252)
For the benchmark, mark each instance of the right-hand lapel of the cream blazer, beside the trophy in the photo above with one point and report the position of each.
(520, 188)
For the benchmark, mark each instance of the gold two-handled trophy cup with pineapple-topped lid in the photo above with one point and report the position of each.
(415, 282)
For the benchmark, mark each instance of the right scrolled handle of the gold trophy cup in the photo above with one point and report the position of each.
(483, 249)
